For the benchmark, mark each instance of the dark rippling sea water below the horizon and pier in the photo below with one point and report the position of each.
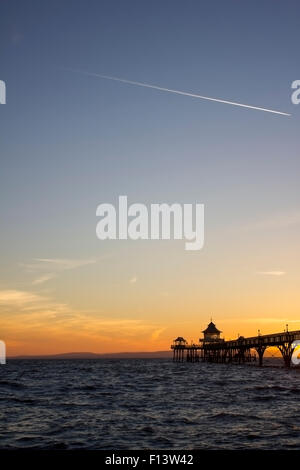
(147, 404)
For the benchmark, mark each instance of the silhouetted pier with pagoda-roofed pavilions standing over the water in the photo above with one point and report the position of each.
(211, 348)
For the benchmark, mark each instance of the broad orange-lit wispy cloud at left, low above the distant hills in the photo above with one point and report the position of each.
(27, 311)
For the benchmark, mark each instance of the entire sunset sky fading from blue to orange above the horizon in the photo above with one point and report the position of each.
(70, 141)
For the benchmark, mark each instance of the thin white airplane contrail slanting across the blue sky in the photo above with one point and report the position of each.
(178, 92)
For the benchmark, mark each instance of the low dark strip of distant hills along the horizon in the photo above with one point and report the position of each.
(90, 355)
